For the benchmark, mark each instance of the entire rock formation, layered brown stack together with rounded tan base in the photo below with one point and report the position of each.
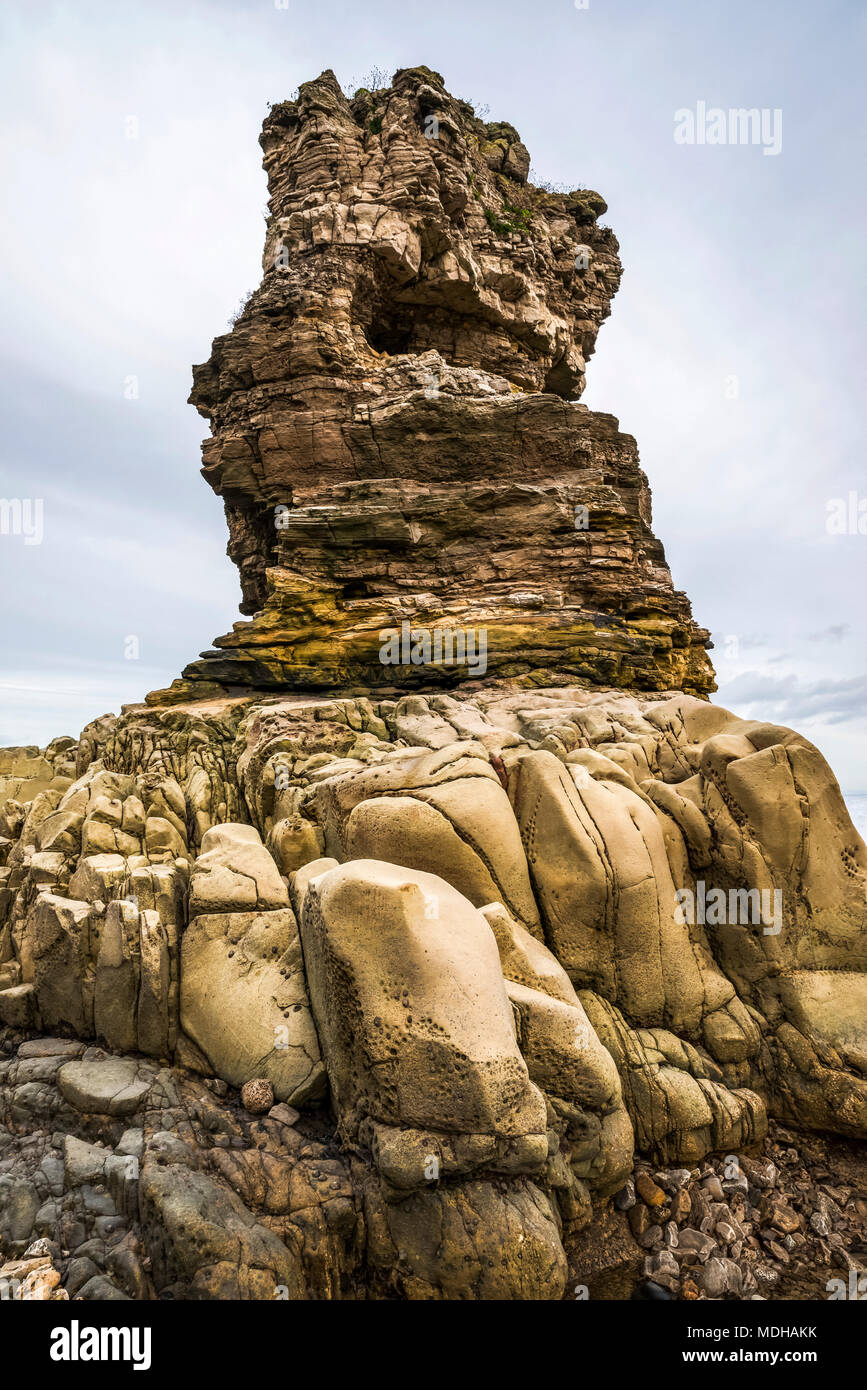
(383, 981)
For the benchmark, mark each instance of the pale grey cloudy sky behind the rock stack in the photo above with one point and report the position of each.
(736, 352)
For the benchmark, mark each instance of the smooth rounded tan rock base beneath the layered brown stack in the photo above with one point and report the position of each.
(499, 938)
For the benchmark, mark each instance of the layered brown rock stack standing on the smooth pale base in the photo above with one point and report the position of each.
(395, 426)
